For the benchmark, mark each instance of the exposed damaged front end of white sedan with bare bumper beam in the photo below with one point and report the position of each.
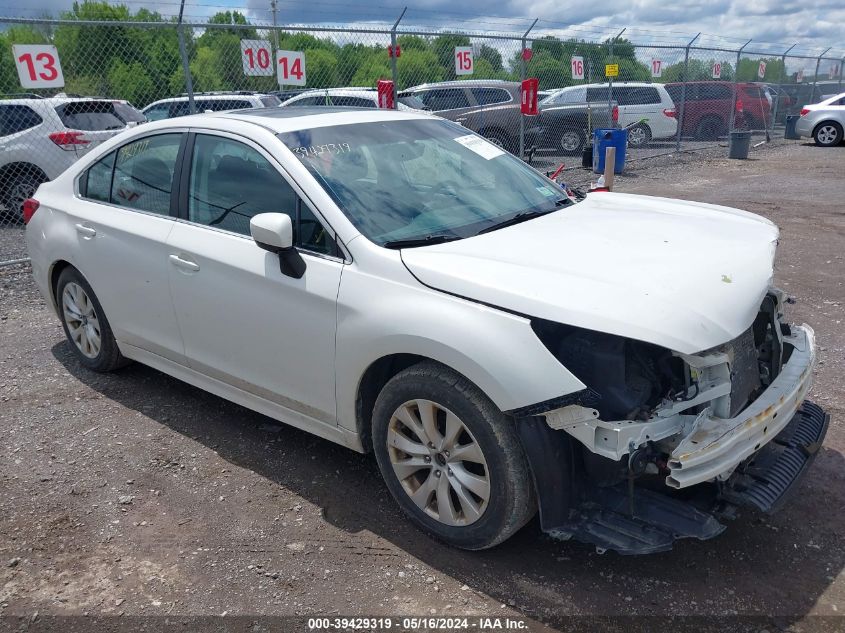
(666, 445)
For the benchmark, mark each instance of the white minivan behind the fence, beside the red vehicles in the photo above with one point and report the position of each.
(636, 100)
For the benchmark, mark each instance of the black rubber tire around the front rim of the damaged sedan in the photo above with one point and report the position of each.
(511, 496)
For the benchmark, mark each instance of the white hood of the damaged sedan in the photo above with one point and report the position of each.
(683, 275)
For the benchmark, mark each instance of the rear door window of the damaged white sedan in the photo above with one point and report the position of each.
(143, 173)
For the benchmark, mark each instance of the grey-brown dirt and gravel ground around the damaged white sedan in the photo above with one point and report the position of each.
(135, 494)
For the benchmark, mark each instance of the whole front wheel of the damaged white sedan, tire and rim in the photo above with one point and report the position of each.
(450, 458)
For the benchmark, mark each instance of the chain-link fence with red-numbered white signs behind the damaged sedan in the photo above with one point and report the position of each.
(107, 72)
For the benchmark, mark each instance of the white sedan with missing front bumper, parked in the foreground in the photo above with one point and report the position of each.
(395, 283)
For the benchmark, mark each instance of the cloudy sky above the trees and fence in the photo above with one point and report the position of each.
(776, 24)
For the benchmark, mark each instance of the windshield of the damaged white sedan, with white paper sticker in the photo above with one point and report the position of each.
(400, 181)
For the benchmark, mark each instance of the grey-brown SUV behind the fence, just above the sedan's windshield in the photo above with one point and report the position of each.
(487, 106)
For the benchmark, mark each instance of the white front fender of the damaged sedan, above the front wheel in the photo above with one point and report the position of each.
(496, 350)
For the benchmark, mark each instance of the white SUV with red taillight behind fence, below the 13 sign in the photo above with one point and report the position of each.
(40, 138)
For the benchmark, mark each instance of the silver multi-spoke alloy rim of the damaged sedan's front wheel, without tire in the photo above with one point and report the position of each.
(438, 462)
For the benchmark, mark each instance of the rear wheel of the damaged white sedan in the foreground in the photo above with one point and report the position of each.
(85, 323)
